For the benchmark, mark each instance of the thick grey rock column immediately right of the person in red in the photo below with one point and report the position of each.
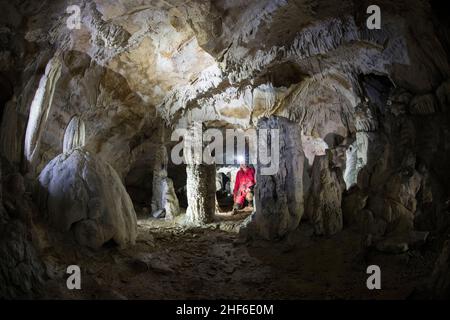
(279, 195)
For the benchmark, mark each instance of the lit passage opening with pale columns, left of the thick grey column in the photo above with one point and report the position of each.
(203, 192)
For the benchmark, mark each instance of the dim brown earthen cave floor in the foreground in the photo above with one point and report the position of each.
(172, 262)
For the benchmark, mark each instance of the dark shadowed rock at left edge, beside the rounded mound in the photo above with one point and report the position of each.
(21, 270)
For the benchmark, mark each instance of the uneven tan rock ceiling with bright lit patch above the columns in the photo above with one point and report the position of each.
(220, 62)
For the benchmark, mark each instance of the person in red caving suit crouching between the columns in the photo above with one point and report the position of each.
(243, 187)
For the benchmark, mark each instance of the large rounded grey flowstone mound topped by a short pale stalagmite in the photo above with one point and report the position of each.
(85, 196)
